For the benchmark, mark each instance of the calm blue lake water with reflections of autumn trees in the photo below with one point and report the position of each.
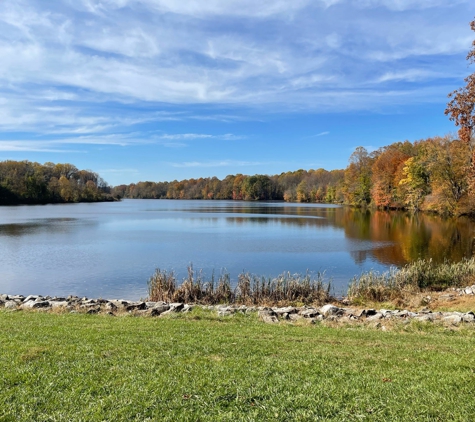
(111, 249)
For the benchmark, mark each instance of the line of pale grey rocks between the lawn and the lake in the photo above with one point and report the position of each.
(328, 312)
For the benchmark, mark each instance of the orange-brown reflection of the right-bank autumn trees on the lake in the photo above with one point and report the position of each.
(398, 237)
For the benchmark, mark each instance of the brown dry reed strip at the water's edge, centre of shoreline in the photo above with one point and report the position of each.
(250, 289)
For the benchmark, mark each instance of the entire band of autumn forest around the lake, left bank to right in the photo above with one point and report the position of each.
(429, 175)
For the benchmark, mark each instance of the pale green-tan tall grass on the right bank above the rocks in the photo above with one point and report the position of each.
(418, 276)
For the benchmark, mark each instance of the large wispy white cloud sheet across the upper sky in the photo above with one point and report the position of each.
(61, 68)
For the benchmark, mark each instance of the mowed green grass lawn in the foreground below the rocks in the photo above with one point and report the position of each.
(199, 367)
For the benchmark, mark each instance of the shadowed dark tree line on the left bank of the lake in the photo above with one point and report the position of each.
(25, 182)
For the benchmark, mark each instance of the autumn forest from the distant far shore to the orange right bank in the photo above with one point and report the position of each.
(429, 175)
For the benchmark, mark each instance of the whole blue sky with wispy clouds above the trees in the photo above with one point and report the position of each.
(160, 90)
